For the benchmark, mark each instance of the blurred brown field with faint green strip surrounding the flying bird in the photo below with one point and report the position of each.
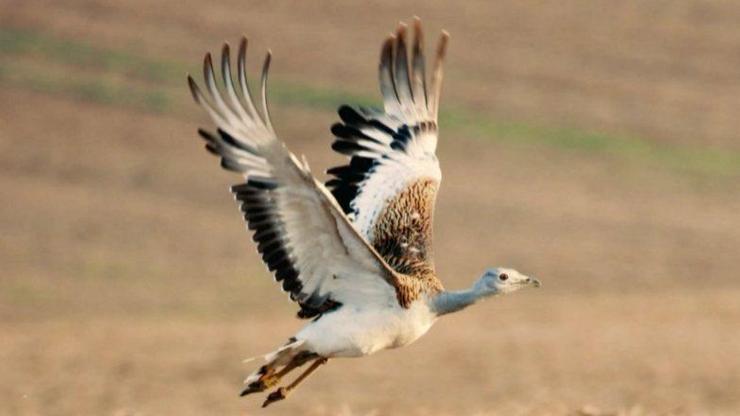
(593, 144)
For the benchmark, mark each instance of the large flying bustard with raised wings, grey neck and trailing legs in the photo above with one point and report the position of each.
(355, 253)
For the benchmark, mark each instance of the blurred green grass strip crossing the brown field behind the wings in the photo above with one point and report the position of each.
(158, 85)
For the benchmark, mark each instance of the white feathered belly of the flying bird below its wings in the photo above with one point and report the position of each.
(355, 332)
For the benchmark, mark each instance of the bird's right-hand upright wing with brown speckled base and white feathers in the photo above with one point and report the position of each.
(389, 187)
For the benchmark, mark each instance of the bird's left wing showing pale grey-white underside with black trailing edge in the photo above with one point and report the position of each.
(302, 234)
